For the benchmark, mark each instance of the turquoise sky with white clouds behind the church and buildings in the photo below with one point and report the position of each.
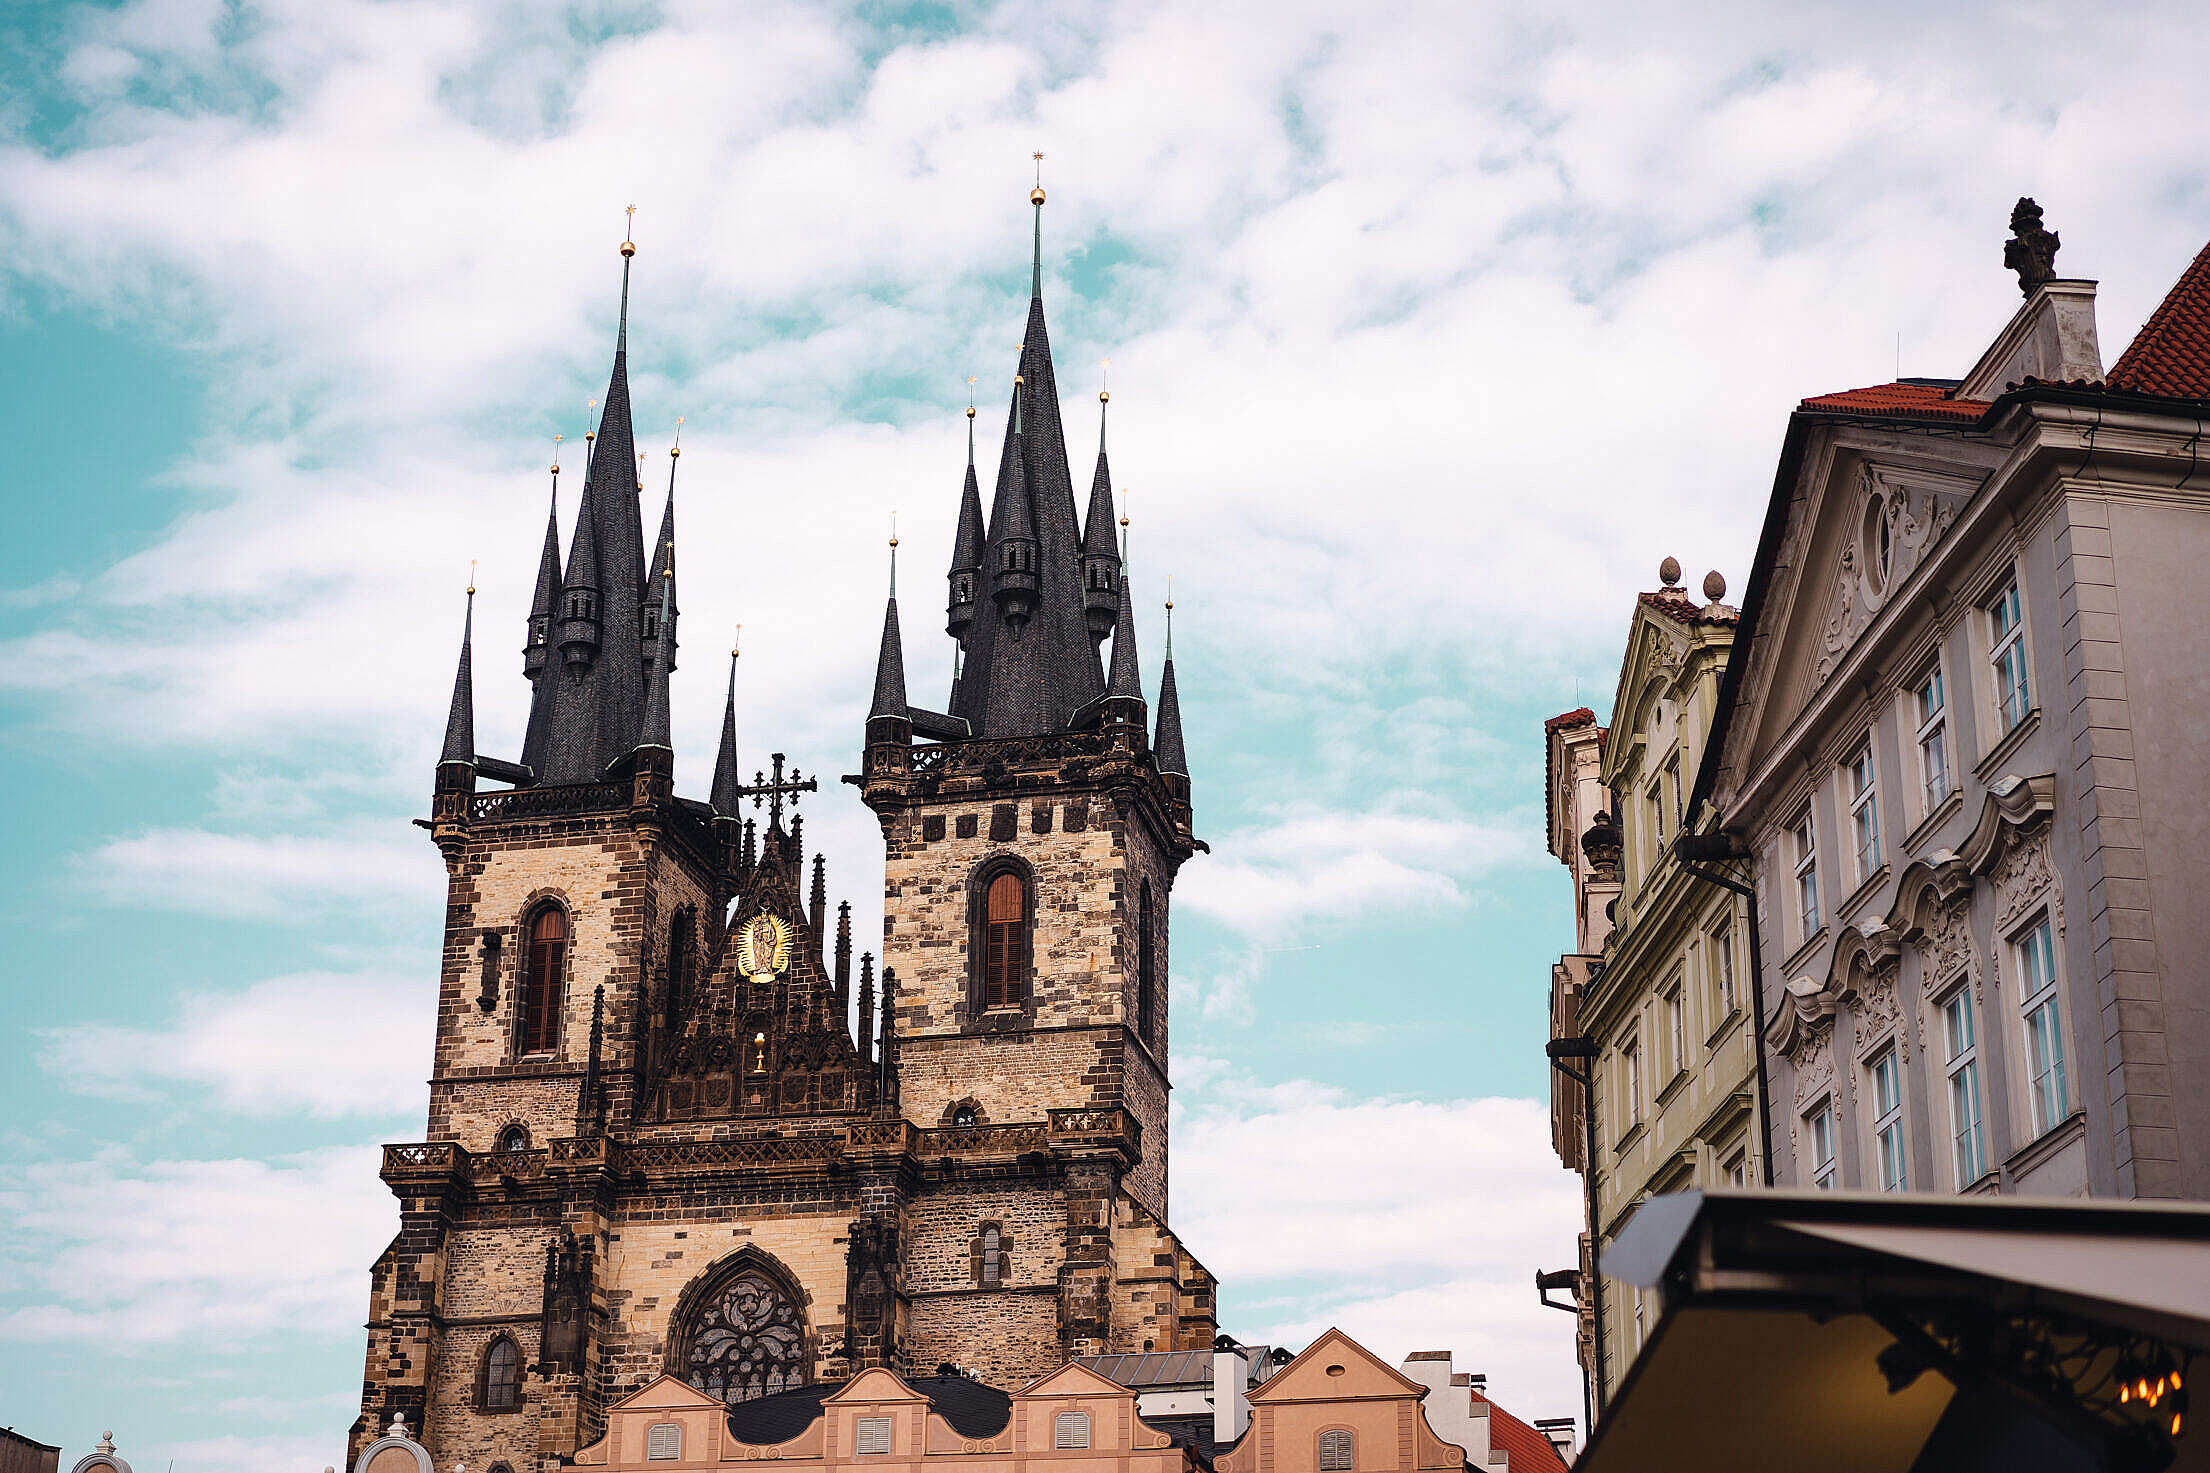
(1433, 330)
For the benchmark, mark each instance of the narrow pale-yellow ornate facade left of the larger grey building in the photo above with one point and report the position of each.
(1659, 988)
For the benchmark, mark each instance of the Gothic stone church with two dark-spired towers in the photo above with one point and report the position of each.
(669, 1130)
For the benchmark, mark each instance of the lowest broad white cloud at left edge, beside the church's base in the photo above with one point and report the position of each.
(158, 1255)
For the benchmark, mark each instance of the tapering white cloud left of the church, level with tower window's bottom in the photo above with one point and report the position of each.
(271, 1050)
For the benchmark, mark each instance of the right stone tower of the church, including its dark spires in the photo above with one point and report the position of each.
(1033, 840)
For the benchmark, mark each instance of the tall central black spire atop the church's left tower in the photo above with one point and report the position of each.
(598, 710)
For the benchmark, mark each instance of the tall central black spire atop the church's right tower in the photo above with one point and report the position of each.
(1031, 664)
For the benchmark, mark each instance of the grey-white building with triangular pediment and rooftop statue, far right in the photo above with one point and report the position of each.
(1955, 752)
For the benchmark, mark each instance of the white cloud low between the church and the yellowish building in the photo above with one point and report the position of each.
(1409, 1225)
